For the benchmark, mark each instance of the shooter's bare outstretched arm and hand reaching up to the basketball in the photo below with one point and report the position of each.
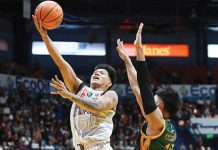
(71, 80)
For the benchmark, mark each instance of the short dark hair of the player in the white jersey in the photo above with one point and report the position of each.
(111, 71)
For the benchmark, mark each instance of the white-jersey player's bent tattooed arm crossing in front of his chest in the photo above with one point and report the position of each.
(106, 102)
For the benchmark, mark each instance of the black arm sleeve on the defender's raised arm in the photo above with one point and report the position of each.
(145, 87)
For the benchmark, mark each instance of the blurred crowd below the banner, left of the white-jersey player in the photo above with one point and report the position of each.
(35, 121)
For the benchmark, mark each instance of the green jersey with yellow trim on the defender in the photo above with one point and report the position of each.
(163, 141)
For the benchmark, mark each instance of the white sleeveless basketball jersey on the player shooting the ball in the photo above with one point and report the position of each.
(88, 128)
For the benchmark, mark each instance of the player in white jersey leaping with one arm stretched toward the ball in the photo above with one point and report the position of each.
(93, 107)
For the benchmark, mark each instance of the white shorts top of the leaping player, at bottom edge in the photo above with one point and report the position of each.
(98, 146)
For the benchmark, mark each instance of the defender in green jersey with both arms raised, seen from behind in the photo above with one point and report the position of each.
(156, 133)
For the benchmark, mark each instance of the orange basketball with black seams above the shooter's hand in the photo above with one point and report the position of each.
(50, 14)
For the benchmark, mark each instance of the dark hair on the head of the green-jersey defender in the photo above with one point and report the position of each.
(171, 100)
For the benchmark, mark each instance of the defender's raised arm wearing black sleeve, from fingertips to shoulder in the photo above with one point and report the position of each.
(153, 113)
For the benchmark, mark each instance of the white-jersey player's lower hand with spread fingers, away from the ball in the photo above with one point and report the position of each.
(60, 87)
